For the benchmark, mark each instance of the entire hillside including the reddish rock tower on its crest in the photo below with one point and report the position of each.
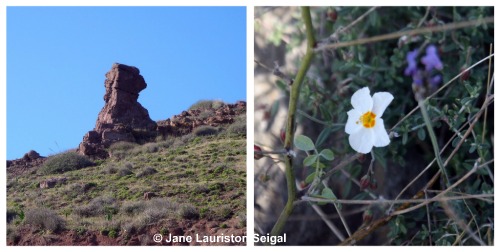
(178, 178)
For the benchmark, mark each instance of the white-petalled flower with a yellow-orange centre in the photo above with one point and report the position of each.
(364, 123)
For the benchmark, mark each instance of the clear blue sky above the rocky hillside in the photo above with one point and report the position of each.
(57, 58)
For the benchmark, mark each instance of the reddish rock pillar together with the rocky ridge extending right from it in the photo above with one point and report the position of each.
(124, 119)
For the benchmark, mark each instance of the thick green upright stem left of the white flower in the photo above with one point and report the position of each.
(292, 109)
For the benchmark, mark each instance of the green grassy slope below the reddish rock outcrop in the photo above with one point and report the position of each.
(199, 182)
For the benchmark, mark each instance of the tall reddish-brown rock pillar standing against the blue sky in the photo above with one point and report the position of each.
(122, 118)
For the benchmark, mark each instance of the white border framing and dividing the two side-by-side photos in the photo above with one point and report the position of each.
(250, 101)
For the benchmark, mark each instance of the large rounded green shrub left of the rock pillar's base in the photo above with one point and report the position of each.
(64, 162)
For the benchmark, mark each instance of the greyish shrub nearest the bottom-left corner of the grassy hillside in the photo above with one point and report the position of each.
(45, 219)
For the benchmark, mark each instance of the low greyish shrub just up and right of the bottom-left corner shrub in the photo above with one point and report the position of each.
(97, 206)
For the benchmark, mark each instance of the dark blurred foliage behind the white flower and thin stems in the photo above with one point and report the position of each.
(325, 99)
